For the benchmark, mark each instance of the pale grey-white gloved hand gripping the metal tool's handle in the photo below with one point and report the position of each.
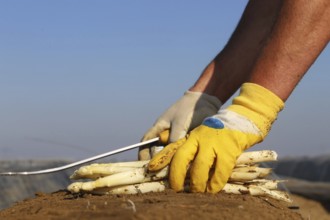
(187, 113)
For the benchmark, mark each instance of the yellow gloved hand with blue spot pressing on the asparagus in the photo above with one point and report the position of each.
(213, 147)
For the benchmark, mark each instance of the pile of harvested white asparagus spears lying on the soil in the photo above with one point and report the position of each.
(134, 177)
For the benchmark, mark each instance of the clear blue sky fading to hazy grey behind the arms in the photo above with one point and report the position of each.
(80, 78)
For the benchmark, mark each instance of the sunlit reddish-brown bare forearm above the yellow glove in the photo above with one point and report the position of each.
(301, 32)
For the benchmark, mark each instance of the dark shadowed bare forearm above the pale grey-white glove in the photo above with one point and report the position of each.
(231, 67)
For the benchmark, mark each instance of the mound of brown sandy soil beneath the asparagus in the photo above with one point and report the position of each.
(166, 205)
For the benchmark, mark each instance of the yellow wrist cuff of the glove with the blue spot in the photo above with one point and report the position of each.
(259, 105)
